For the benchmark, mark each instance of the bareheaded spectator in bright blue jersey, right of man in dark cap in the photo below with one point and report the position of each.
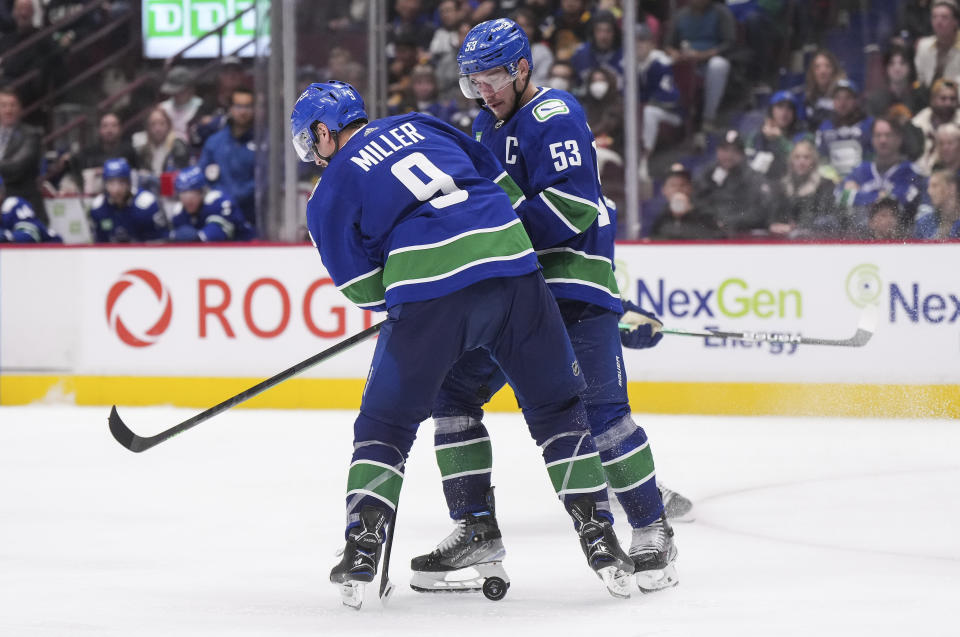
(888, 175)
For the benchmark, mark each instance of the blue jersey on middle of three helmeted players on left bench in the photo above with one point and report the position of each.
(139, 219)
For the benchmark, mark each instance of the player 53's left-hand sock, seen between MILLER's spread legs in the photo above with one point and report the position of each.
(465, 458)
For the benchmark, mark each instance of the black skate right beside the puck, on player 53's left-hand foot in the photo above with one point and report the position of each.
(468, 560)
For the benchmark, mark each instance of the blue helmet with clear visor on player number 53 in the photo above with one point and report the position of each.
(490, 45)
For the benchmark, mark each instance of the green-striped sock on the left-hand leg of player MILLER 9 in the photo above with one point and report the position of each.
(374, 479)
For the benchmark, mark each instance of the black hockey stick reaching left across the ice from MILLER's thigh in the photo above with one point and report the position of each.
(136, 443)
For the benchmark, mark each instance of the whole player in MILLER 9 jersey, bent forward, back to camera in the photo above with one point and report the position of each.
(408, 218)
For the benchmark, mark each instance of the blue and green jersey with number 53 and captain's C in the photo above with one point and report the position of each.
(548, 150)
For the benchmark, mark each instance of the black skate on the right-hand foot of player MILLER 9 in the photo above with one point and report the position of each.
(601, 547)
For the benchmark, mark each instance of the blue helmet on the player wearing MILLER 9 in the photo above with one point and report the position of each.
(334, 104)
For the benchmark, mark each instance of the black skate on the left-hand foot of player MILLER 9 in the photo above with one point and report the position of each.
(361, 556)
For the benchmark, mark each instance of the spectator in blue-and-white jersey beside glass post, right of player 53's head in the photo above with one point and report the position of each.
(659, 97)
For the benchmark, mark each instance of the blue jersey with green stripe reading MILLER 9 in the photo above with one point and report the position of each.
(408, 210)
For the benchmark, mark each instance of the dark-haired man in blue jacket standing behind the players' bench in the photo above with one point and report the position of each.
(229, 158)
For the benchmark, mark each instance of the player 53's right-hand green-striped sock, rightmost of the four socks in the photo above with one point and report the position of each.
(628, 465)
